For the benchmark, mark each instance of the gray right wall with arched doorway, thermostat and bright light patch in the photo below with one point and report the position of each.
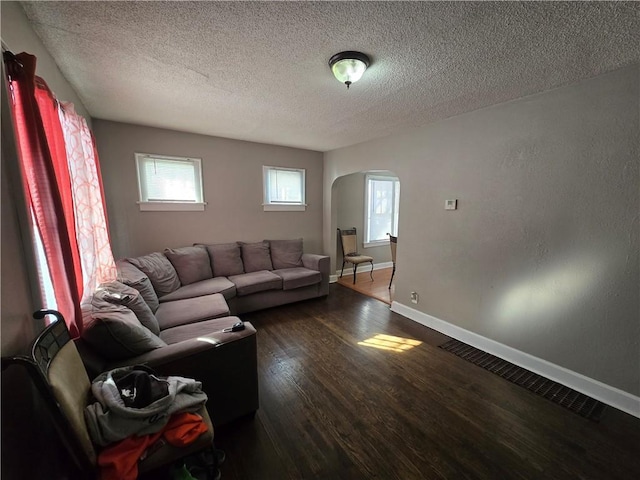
(542, 253)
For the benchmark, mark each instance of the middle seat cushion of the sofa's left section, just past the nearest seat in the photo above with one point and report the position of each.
(190, 310)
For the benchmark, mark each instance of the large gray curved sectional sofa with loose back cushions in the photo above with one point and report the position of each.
(172, 311)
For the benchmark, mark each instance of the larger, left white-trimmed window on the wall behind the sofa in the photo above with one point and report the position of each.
(169, 183)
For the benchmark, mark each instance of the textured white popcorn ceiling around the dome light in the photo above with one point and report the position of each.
(258, 70)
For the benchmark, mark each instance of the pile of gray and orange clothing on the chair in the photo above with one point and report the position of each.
(136, 411)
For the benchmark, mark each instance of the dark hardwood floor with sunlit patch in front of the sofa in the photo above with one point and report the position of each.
(332, 408)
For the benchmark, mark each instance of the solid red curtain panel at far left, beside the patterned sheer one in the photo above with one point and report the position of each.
(41, 150)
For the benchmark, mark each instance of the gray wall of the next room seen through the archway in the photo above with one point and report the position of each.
(350, 195)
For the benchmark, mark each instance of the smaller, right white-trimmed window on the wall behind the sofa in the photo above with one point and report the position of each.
(284, 189)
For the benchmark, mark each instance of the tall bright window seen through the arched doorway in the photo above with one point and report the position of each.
(381, 208)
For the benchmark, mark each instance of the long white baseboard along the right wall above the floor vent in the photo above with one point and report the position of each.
(615, 397)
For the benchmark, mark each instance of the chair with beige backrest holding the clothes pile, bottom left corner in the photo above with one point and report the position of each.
(60, 377)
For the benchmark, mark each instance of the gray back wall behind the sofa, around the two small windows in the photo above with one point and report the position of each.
(232, 178)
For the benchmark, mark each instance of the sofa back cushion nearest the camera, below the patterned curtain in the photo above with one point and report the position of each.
(115, 332)
